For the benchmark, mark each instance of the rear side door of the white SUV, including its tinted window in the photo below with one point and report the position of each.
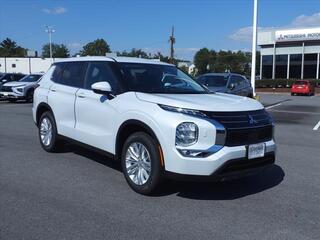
(67, 79)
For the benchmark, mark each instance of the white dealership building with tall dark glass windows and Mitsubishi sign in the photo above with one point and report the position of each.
(289, 53)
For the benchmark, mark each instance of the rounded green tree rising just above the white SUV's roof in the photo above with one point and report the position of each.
(98, 47)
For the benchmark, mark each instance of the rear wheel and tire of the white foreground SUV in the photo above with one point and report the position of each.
(54, 143)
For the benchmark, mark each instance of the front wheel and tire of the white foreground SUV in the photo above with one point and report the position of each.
(149, 148)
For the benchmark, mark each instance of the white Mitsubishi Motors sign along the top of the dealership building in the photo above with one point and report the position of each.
(298, 35)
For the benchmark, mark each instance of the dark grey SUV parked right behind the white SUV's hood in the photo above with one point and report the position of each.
(227, 83)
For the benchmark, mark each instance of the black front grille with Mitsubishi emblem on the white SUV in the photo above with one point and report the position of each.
(244, 128)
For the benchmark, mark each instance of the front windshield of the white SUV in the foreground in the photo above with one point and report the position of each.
(156, 78)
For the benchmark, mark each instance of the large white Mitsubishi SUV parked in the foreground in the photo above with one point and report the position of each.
(153, 118)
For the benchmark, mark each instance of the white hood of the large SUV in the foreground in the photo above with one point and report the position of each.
(216, 102)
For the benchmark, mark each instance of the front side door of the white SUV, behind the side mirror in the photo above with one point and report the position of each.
(95, 113)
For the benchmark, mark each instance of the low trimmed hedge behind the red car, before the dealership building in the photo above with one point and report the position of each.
(280, 83)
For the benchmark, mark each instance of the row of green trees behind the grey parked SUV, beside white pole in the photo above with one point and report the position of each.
(207, 60)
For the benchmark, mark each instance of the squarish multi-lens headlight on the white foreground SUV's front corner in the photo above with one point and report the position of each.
(186, 134)
